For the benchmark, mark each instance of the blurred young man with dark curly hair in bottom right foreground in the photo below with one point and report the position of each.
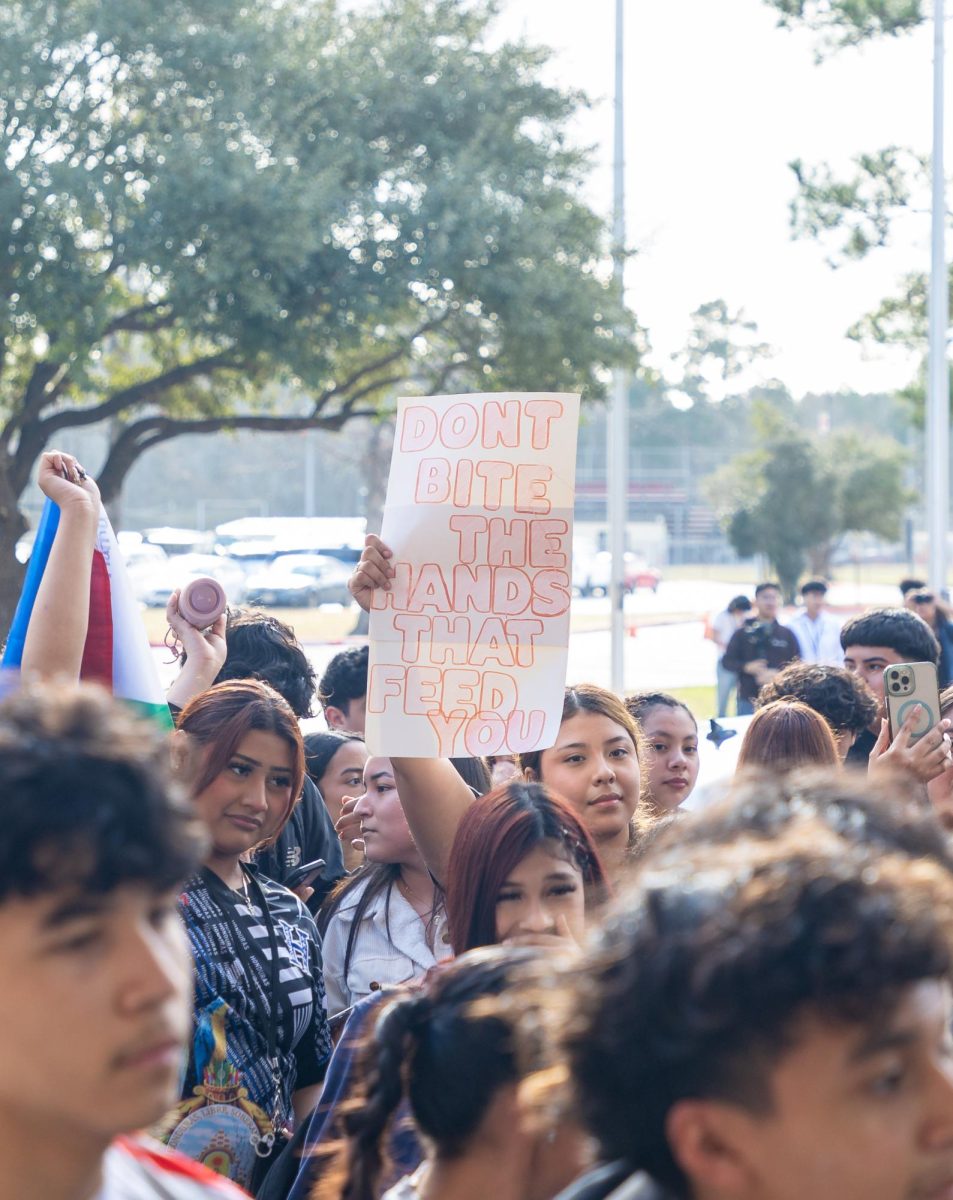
(768, 1015)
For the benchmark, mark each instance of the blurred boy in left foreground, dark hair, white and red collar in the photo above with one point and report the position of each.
(98, 981)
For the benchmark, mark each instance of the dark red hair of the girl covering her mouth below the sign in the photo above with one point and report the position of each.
(496, 833)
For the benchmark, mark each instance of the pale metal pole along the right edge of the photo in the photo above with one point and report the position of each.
(938, 393)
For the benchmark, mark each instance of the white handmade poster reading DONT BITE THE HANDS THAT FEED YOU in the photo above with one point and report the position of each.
(469, 649)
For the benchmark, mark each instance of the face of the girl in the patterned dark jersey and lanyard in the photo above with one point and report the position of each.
(248, 802)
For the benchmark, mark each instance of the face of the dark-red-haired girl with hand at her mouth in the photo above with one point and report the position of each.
(542, 898)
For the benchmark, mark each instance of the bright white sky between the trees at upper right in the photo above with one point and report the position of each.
(718, 103)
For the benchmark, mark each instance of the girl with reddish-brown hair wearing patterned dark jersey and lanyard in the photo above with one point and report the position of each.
(261, 1040)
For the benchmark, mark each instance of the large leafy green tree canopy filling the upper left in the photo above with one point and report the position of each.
(211, 208)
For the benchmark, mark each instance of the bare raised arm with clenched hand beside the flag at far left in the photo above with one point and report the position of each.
(57, 634)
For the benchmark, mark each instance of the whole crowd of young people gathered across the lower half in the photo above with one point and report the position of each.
(317, 974)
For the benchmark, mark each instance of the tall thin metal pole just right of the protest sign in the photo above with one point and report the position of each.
(618, 452)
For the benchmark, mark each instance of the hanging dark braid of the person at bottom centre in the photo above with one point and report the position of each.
(388, 1059)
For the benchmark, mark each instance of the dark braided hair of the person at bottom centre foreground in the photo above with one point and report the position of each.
(446, 1053)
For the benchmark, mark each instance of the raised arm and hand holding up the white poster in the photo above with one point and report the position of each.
(434, 797)
